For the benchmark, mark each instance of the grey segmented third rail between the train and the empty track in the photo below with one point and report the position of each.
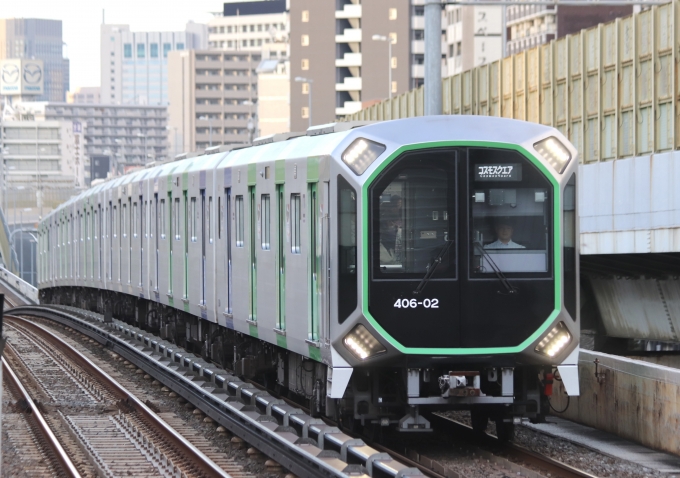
(306, 446)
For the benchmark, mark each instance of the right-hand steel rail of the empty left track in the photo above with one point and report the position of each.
(199, 460)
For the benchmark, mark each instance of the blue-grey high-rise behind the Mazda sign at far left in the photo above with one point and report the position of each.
(41, 39)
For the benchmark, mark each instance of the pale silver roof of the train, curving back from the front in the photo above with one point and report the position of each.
(332, 139)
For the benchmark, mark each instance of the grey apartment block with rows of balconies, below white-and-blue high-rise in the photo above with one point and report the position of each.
(117, 137)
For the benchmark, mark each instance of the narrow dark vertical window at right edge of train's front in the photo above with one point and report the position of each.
(569, 257)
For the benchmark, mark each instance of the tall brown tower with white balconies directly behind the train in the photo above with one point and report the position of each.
(332, 45)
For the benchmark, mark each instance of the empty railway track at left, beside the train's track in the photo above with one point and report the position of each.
(105, 429)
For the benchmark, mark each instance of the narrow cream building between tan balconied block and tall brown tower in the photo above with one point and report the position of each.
(273, 100)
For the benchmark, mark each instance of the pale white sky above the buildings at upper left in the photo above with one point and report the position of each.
(82, 18)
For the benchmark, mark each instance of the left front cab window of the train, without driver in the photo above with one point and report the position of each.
(413, 216)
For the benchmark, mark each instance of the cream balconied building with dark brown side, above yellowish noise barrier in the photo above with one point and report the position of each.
(533, 25)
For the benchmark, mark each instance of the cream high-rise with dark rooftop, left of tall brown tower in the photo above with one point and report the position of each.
(255, 26)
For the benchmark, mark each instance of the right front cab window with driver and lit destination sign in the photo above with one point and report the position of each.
(510, 213)
